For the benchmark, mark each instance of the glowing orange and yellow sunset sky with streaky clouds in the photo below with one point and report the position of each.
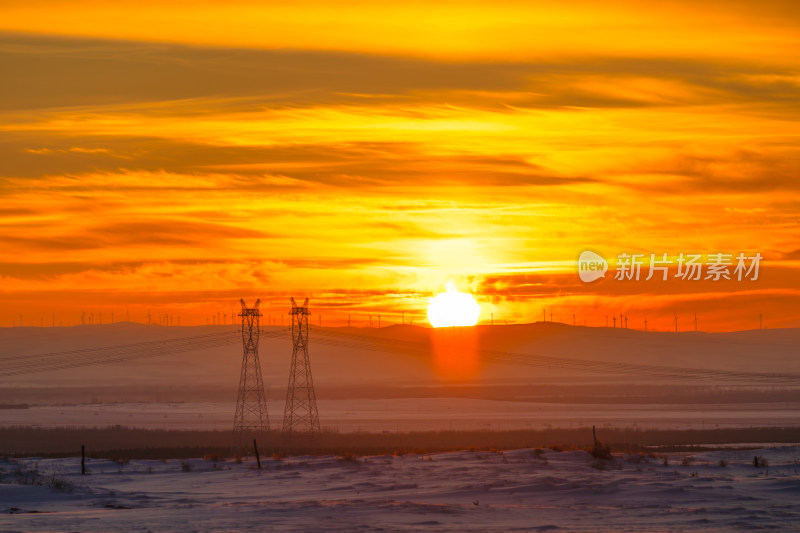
(172, 157)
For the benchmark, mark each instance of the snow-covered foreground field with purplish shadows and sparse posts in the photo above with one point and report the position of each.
(526, 490)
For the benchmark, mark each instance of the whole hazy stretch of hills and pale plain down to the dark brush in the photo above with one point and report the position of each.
(408, 378)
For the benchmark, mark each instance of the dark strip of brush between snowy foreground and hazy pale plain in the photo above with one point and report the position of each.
(120, 441)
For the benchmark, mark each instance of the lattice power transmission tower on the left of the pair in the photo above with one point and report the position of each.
(251, 419)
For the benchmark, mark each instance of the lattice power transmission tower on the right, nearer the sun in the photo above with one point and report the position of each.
(300, 414)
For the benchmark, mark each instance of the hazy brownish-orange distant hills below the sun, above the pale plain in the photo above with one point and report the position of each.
(406, 356)
